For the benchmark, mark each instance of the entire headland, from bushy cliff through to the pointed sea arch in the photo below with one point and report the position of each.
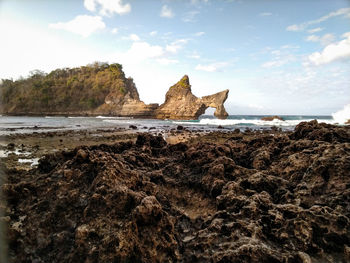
(99, 89)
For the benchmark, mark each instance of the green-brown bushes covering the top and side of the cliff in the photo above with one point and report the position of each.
(79, 89)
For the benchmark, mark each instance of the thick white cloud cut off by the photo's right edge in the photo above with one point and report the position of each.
(332, 52)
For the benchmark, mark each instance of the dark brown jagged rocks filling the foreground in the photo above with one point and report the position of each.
(254, 196)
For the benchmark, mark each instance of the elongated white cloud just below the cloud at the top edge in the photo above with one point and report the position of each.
(83, 25)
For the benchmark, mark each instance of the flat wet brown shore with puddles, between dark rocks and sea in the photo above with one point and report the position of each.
(29, 146)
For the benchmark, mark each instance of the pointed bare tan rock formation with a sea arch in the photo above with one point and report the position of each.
(180, 103)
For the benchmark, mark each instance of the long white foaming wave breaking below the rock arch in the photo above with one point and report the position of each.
(245, 122)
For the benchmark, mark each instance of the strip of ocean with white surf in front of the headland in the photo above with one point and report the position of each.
(23, 124)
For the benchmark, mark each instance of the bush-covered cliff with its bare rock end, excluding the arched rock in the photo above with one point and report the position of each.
(94, 89)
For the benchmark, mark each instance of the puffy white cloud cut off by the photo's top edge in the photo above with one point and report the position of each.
(107, 7)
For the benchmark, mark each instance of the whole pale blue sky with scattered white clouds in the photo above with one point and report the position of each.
(275, 56)
